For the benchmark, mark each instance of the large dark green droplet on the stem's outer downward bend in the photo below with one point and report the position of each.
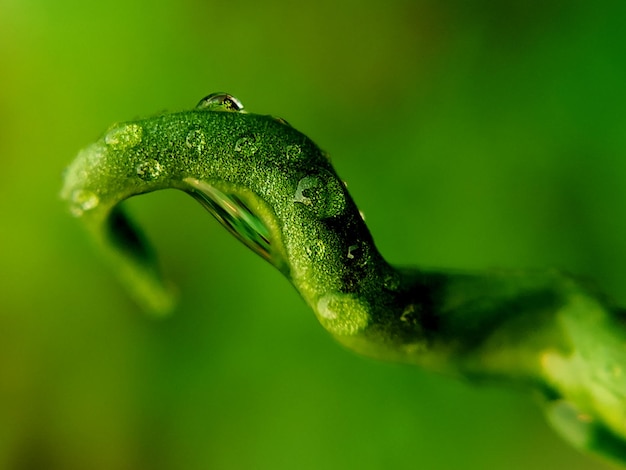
(324, 195)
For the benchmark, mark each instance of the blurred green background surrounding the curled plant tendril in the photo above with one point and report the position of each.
(473, 134)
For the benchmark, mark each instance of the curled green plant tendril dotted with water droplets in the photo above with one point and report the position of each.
(273, 188)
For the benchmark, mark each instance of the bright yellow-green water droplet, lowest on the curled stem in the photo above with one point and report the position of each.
(342, 314)
